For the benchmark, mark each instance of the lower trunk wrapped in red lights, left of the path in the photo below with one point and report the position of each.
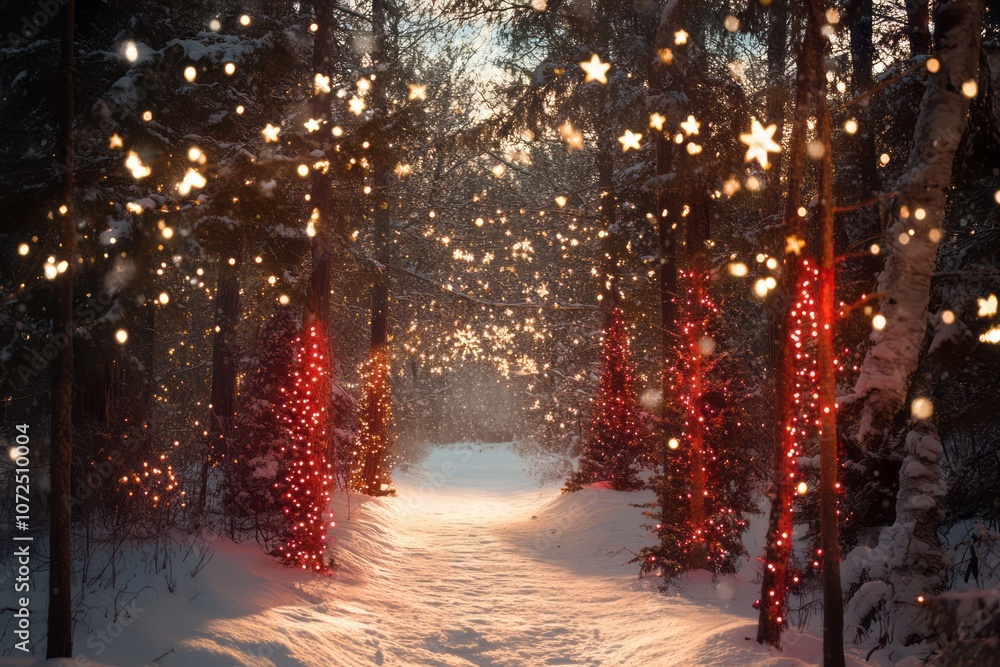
(309, 475)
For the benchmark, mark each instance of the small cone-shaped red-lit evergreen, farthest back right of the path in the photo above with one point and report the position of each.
(616, 449)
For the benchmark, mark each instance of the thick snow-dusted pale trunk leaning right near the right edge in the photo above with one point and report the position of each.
(904, 283)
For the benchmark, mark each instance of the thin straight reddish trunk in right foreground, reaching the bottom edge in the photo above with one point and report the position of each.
(833, 598)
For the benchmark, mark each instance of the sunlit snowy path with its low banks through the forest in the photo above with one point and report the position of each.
(472, 564)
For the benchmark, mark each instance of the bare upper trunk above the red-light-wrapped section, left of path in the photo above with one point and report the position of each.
(321, 195)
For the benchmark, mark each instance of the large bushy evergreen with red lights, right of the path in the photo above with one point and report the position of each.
(702, 489)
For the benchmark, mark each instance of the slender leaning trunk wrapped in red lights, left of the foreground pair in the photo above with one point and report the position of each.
(774, 588)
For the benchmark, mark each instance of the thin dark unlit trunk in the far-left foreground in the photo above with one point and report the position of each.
(60, 613)
